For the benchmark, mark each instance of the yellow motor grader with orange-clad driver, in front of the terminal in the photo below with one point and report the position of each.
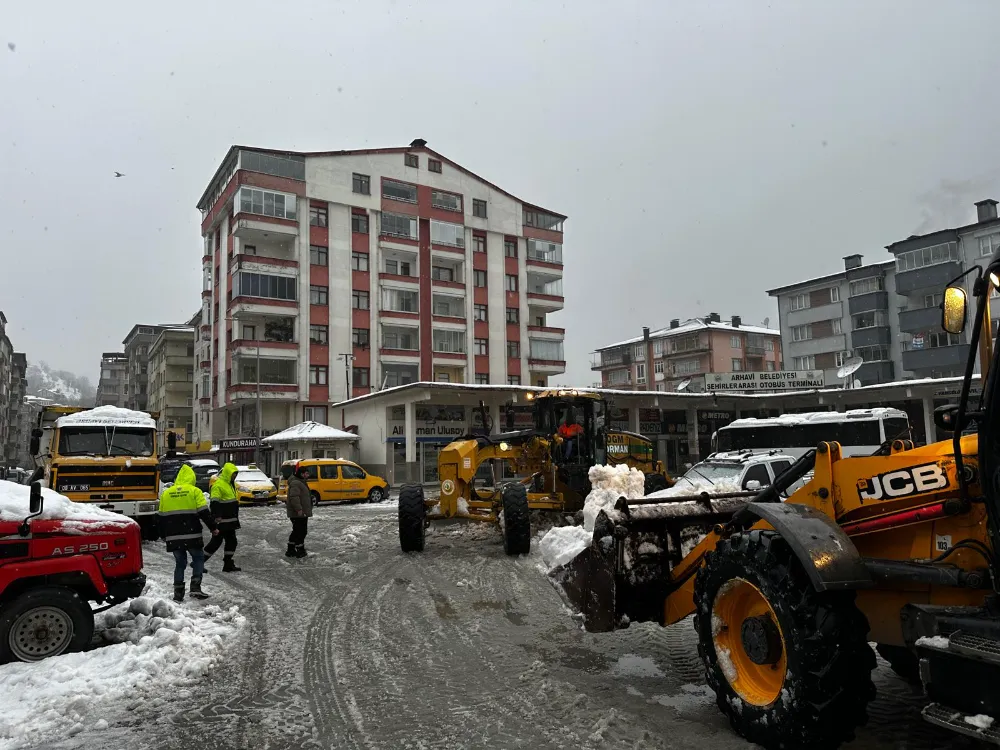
(553, 459)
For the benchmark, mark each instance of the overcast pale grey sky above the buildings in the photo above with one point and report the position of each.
(704, 152)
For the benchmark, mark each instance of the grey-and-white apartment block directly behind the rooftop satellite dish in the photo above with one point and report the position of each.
(853, 313)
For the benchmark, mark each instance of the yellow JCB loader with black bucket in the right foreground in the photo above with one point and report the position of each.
(898, 548)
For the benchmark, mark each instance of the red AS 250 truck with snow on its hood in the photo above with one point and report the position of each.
(50, 573)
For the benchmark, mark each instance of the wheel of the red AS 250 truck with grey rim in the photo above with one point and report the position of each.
(43, 622)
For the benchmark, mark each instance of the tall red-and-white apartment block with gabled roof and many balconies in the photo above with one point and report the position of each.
(327, 274)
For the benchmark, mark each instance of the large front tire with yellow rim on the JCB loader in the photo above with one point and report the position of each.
(790, 666)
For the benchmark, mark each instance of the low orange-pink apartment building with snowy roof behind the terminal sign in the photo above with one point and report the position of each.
(686, 351)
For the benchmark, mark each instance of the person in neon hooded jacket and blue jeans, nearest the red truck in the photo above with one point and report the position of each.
(182, 512)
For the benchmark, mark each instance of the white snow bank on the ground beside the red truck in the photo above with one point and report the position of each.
(156, 648)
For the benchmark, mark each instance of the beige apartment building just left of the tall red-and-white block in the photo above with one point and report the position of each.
(171, 382)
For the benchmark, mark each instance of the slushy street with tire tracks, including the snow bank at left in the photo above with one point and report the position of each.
(361, 646)
